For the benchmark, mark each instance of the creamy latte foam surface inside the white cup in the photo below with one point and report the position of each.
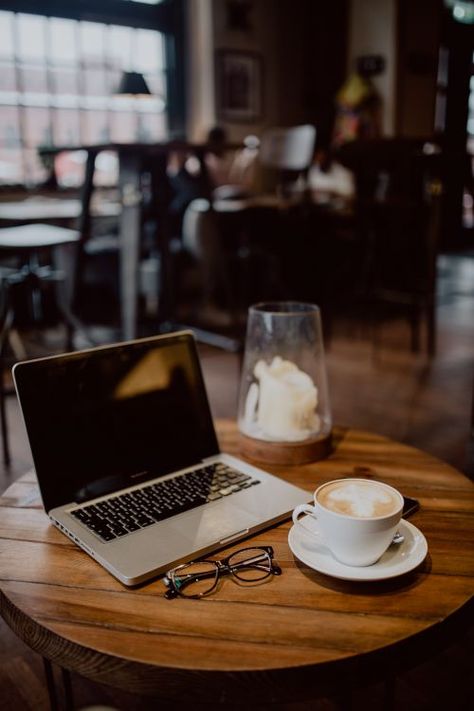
(358, 499)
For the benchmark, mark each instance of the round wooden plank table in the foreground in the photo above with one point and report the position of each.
(300, 636)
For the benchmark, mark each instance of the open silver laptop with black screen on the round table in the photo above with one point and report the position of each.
(128, 462)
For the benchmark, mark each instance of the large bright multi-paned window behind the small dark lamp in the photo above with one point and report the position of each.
(57, 81)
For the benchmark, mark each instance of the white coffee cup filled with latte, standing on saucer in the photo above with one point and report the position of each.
(357, 518)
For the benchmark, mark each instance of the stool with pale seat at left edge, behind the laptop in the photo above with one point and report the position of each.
(26, 243)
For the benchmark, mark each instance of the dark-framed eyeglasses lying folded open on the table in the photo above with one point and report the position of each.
(197, 579)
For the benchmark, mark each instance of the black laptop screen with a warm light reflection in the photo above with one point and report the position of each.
(107, 418)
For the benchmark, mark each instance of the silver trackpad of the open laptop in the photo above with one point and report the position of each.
(214, 523)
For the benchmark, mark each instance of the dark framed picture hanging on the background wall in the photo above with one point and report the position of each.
(239, 85)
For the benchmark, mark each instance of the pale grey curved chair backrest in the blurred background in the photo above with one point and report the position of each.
(288, 148)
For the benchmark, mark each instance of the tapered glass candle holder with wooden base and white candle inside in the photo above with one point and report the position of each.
(284, 413)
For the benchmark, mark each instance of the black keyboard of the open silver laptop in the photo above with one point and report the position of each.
(123, 514)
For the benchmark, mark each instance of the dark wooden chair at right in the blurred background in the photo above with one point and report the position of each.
(397, 219)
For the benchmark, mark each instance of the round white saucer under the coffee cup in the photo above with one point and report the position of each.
(398, 559)
